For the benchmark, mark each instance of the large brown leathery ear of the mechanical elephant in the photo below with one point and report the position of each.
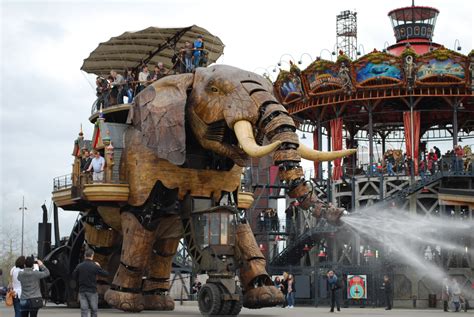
(159, 113)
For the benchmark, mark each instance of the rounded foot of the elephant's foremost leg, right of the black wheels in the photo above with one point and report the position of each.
(263, 296)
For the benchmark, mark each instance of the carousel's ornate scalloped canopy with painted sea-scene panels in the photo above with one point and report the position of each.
(434, 82)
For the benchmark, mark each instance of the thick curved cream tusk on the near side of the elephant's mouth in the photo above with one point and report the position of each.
(243, 131)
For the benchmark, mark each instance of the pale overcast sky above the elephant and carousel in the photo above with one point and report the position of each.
(45, 97)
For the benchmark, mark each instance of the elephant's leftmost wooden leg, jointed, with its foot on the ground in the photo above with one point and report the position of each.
(126, 290)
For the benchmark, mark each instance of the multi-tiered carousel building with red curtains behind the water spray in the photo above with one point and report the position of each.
(416, 93)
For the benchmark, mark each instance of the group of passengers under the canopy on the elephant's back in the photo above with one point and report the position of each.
(113, 89)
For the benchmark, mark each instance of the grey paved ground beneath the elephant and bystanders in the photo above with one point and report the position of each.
(192, 310)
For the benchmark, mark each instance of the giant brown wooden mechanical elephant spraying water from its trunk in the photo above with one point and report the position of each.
(189, 138)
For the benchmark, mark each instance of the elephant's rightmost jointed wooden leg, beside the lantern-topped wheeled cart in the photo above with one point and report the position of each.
(257, 285)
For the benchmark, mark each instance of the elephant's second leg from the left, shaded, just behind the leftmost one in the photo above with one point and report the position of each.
(156, 284)
